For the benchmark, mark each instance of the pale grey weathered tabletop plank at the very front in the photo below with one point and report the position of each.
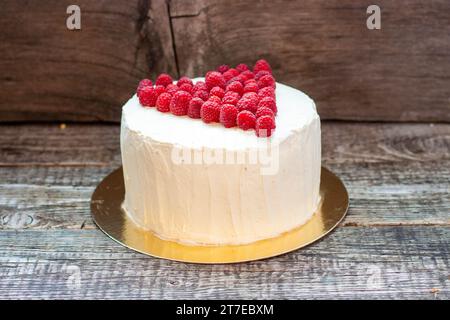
(360, 263)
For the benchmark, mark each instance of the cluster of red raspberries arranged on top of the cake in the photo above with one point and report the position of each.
(231, 96)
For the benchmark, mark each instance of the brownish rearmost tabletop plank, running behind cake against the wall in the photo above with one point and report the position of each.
(98, 145)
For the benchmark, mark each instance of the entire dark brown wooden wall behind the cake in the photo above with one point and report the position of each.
(398, 73)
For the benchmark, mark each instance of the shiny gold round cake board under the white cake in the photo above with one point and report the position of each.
(106, 208)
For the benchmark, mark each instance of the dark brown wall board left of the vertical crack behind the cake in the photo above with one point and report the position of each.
(51, 73)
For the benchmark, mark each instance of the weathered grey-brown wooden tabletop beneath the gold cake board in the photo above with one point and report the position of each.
(394, 243)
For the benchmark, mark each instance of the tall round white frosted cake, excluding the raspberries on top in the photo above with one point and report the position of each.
(199, 202)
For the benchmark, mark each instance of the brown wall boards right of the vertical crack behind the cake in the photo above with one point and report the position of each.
(398, 73)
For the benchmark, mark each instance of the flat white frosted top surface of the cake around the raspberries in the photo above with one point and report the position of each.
(295, 110)
